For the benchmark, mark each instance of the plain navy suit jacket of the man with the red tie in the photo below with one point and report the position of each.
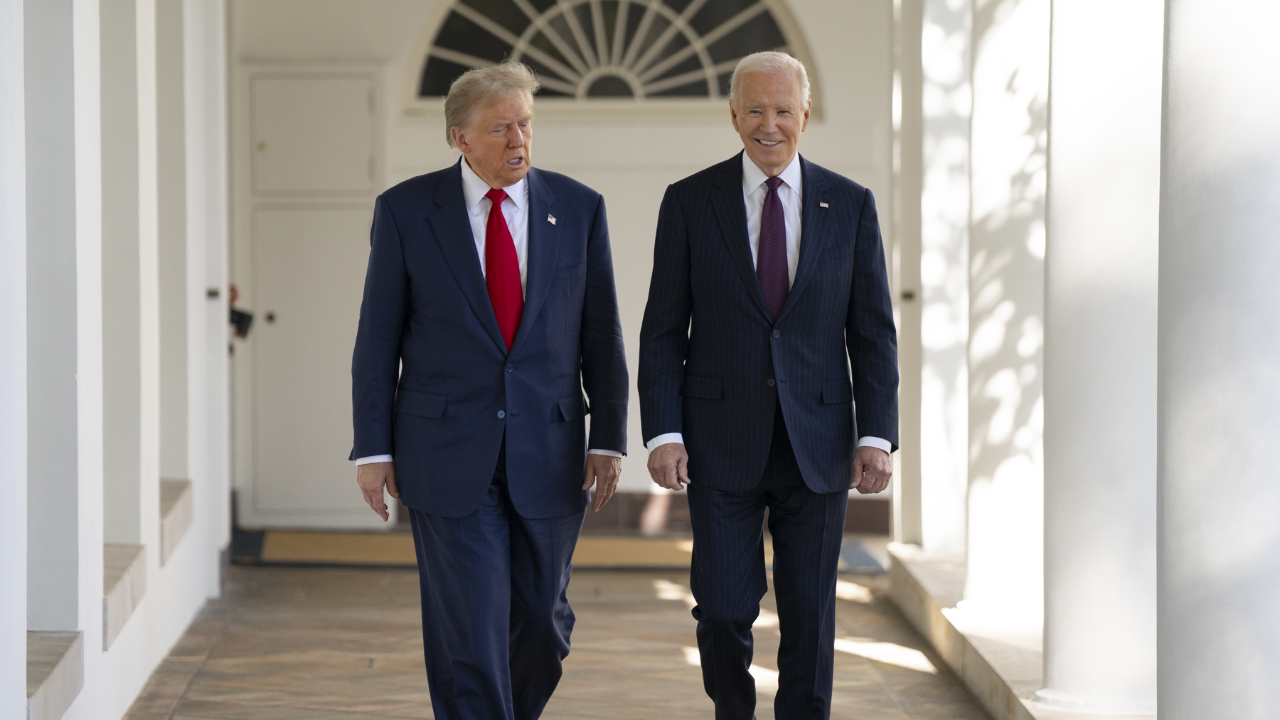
(433, 382)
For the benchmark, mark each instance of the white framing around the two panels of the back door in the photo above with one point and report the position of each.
(244, 203)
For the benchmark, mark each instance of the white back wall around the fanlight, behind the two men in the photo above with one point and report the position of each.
(629, 160)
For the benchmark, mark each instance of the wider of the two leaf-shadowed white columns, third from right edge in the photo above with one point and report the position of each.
(1007, 286)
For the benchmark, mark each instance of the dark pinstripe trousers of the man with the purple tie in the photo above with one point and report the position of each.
(729, 582)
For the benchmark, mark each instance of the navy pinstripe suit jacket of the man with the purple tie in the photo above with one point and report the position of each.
(715, 366)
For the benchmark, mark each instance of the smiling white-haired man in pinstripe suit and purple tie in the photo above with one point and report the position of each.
(769, 284)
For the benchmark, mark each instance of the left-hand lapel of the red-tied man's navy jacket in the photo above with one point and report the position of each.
(452, 229)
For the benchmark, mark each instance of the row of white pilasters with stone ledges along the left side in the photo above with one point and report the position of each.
(111, 195)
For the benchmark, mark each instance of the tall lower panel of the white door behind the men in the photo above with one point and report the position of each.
(309, 271)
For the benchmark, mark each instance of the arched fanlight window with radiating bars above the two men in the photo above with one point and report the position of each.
(607, 49)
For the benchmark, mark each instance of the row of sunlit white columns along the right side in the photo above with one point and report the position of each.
(1122, 207)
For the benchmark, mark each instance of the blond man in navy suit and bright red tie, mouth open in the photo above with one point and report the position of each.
(490, 308)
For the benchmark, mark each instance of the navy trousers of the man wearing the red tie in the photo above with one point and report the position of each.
(496, 618)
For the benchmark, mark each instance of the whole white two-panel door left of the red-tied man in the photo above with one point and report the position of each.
(312, 151)
